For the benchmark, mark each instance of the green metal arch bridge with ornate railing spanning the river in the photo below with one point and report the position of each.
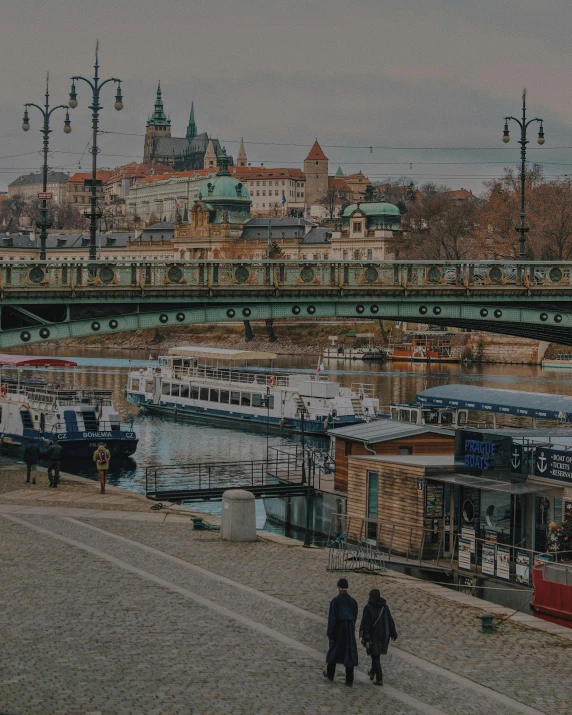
(53, 300)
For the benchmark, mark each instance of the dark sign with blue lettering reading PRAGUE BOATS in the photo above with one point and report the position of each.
(487, 455)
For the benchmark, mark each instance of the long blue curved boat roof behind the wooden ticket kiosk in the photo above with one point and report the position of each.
(510, 402)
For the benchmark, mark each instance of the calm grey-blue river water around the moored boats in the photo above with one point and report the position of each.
(163, 441)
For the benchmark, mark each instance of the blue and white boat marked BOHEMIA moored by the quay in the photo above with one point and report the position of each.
(75, 418)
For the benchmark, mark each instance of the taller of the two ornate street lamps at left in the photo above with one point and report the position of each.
(96, 86)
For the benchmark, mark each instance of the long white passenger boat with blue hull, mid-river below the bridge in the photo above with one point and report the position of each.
(191, 383)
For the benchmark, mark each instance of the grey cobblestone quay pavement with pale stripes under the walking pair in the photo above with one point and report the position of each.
(113, 616)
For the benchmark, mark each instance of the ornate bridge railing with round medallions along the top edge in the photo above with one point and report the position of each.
(246, 275)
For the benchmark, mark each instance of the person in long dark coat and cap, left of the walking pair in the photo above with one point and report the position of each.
(342, 634)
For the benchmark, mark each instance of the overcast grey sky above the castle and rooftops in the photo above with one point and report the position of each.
(396, 88)
